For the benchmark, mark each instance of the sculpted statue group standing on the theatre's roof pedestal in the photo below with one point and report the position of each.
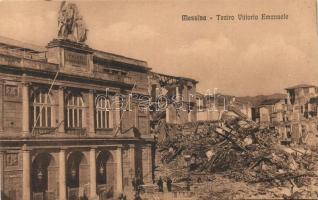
(71, 24)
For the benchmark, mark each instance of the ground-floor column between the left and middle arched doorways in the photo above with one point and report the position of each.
(62, 172)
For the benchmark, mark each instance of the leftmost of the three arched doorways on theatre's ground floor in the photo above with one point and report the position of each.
(44, 175)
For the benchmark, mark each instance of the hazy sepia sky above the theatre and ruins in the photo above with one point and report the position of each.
(237, 57)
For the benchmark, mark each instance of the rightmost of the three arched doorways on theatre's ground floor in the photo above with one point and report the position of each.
(105, 175)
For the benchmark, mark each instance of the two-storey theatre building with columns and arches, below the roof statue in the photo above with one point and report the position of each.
(69, 126)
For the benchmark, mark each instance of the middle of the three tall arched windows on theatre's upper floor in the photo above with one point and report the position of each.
(74, 111)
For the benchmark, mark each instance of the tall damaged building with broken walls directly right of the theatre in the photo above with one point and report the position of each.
(174, 98)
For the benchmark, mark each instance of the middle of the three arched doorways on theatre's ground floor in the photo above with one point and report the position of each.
(77, 176)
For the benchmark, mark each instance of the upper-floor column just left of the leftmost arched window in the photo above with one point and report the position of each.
(25, 109)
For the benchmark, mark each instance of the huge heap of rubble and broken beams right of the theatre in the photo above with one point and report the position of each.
(242, 150)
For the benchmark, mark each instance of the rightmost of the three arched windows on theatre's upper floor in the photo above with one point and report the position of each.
(103, 113)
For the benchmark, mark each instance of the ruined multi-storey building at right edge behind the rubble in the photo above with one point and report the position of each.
(295, 117)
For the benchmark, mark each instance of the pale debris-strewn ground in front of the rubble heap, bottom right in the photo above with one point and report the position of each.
(223, 187)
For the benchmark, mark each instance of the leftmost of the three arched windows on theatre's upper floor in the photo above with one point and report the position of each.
(41, 109)
